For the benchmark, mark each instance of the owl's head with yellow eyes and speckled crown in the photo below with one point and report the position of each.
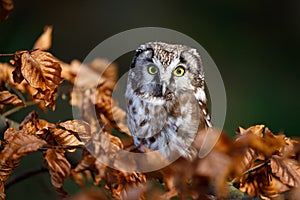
(160, 70)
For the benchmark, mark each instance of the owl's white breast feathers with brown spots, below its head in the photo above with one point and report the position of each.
(167, 127)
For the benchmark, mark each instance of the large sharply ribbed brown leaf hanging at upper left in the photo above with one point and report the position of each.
(42, 72)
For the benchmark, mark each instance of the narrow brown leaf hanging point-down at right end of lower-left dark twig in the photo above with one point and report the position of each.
(58, 166)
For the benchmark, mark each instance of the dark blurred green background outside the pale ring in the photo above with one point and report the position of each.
(255, 45)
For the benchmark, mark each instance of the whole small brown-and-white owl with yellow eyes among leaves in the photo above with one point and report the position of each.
(165, 97)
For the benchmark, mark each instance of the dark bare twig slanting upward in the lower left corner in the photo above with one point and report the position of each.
(24, 175)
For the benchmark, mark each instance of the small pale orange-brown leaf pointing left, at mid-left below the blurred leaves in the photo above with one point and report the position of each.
(82, 128)
